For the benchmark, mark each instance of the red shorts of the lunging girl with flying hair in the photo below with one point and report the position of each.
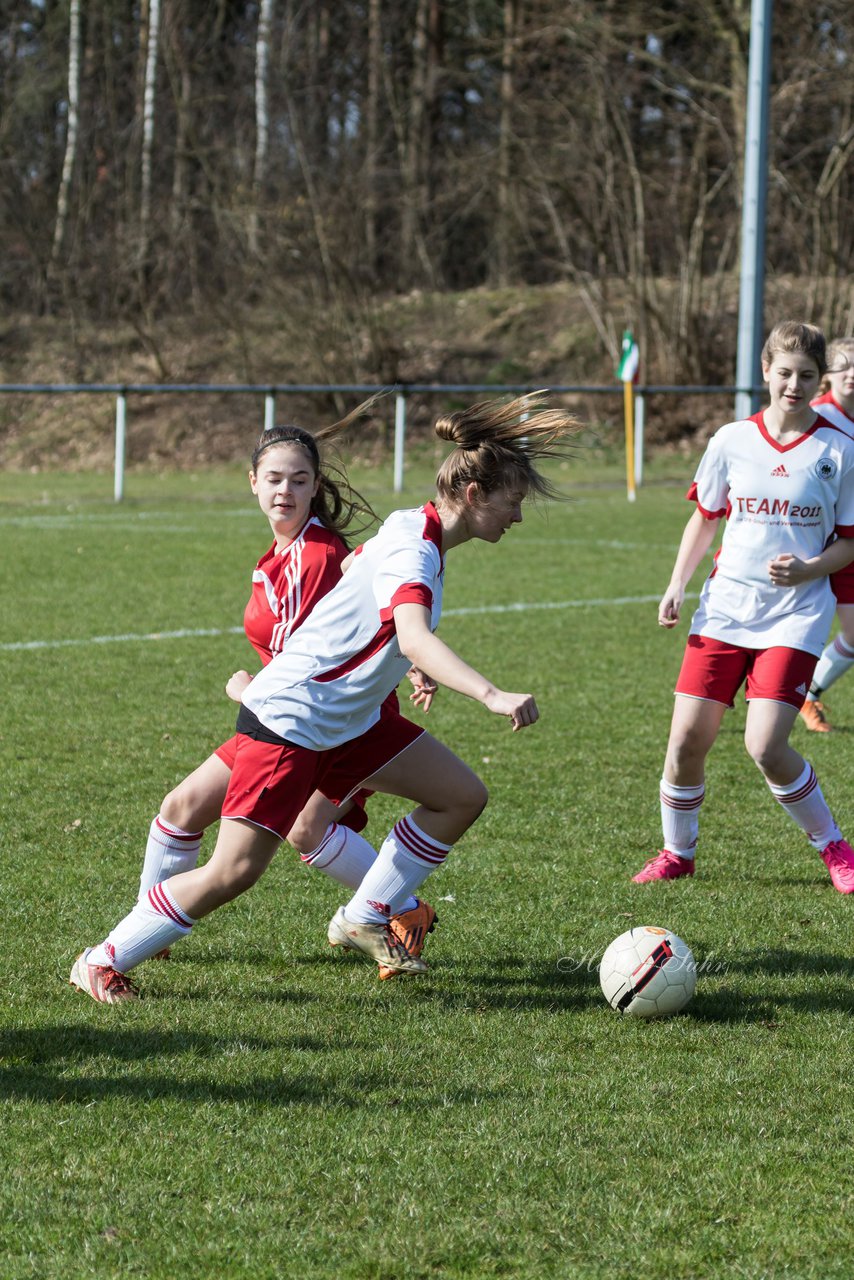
(272, 783)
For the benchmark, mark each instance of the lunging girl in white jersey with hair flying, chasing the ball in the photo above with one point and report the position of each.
(316, 719)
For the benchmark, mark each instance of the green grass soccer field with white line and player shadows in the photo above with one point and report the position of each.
(272, 1110)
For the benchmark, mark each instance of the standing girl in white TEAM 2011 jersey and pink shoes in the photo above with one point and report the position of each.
(784, 479)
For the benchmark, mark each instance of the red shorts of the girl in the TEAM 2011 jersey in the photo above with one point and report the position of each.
(716, 671)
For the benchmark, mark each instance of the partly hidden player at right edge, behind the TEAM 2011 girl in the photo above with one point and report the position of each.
(838, 406)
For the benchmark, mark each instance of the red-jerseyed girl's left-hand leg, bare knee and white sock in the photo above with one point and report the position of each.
(176, 834)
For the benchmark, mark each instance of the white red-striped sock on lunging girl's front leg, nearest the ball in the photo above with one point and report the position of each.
(405, 861)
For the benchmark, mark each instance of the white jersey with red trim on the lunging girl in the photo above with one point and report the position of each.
(327, 687)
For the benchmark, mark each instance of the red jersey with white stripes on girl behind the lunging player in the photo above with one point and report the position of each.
(287, 583)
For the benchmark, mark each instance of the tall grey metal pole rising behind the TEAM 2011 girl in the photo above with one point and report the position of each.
(753, 212)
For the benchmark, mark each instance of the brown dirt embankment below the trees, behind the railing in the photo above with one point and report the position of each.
(542, 337)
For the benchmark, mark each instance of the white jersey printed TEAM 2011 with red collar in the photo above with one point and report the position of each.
(777, 499)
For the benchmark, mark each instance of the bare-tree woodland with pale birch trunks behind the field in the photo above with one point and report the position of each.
(177, 167)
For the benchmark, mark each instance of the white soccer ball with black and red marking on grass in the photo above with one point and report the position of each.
(649, 973)
